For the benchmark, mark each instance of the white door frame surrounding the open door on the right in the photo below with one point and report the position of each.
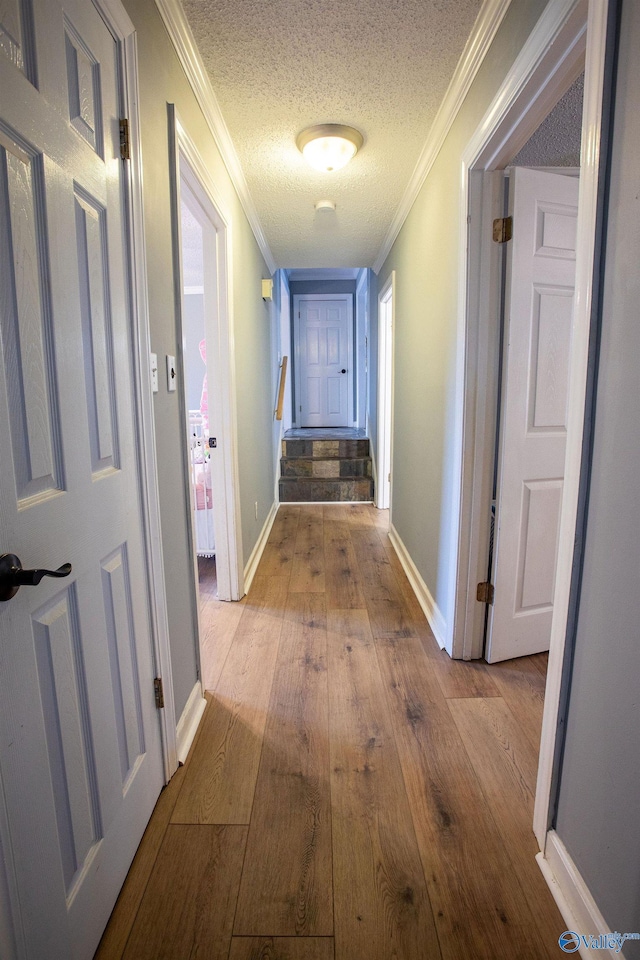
(567, 32)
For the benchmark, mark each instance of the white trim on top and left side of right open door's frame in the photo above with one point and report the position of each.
(551, 56)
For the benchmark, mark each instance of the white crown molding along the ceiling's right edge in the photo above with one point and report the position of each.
(484, 30)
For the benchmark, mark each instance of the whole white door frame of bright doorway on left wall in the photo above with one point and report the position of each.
(186, 161)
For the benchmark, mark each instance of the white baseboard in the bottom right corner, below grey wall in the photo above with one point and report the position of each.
(573, 898)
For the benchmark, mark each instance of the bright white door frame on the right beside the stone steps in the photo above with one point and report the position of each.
(386, 339)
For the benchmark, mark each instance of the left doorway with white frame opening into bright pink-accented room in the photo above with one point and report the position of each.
(205, 373)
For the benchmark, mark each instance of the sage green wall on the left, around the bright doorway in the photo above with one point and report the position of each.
(163, 81)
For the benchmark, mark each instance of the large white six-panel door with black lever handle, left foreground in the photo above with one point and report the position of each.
(80, 753)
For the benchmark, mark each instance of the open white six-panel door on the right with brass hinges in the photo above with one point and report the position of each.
(533, 424)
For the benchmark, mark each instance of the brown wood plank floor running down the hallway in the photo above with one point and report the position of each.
(352, 794)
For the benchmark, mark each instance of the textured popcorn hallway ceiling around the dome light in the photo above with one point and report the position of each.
(382, 66)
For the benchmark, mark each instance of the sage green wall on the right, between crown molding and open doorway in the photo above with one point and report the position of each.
(425, 257)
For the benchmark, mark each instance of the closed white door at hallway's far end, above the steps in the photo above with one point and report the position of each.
(324, 381)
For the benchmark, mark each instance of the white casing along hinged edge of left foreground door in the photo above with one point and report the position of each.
(122, 27)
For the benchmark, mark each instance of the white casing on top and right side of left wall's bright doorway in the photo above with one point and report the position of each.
(189, 163)
